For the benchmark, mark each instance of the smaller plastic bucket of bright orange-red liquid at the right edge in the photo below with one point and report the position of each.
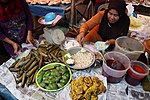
(136, 73)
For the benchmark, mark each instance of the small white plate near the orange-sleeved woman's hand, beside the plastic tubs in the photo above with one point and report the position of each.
(100, 45)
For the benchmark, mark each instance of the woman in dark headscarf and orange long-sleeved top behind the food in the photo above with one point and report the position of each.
(106, 25)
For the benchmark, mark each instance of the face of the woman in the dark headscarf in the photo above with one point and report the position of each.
(113, 16)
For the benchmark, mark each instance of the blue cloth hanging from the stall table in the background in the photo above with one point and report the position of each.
(42, 10)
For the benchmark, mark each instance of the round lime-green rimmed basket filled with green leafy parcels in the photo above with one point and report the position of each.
(53, 77)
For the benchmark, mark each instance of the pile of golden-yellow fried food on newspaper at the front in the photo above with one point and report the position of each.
(86, 88)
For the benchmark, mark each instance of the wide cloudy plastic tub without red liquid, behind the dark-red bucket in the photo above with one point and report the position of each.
(132, 48)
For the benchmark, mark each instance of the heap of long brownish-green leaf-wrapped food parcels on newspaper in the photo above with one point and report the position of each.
(27, 67)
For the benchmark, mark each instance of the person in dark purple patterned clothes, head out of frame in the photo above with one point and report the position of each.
(16, 25)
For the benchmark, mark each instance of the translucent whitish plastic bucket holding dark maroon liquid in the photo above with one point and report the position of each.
(114, 75)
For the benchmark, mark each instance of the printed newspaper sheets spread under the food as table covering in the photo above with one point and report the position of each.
(119, 91)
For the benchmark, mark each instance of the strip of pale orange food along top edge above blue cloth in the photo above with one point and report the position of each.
(49, 2)
